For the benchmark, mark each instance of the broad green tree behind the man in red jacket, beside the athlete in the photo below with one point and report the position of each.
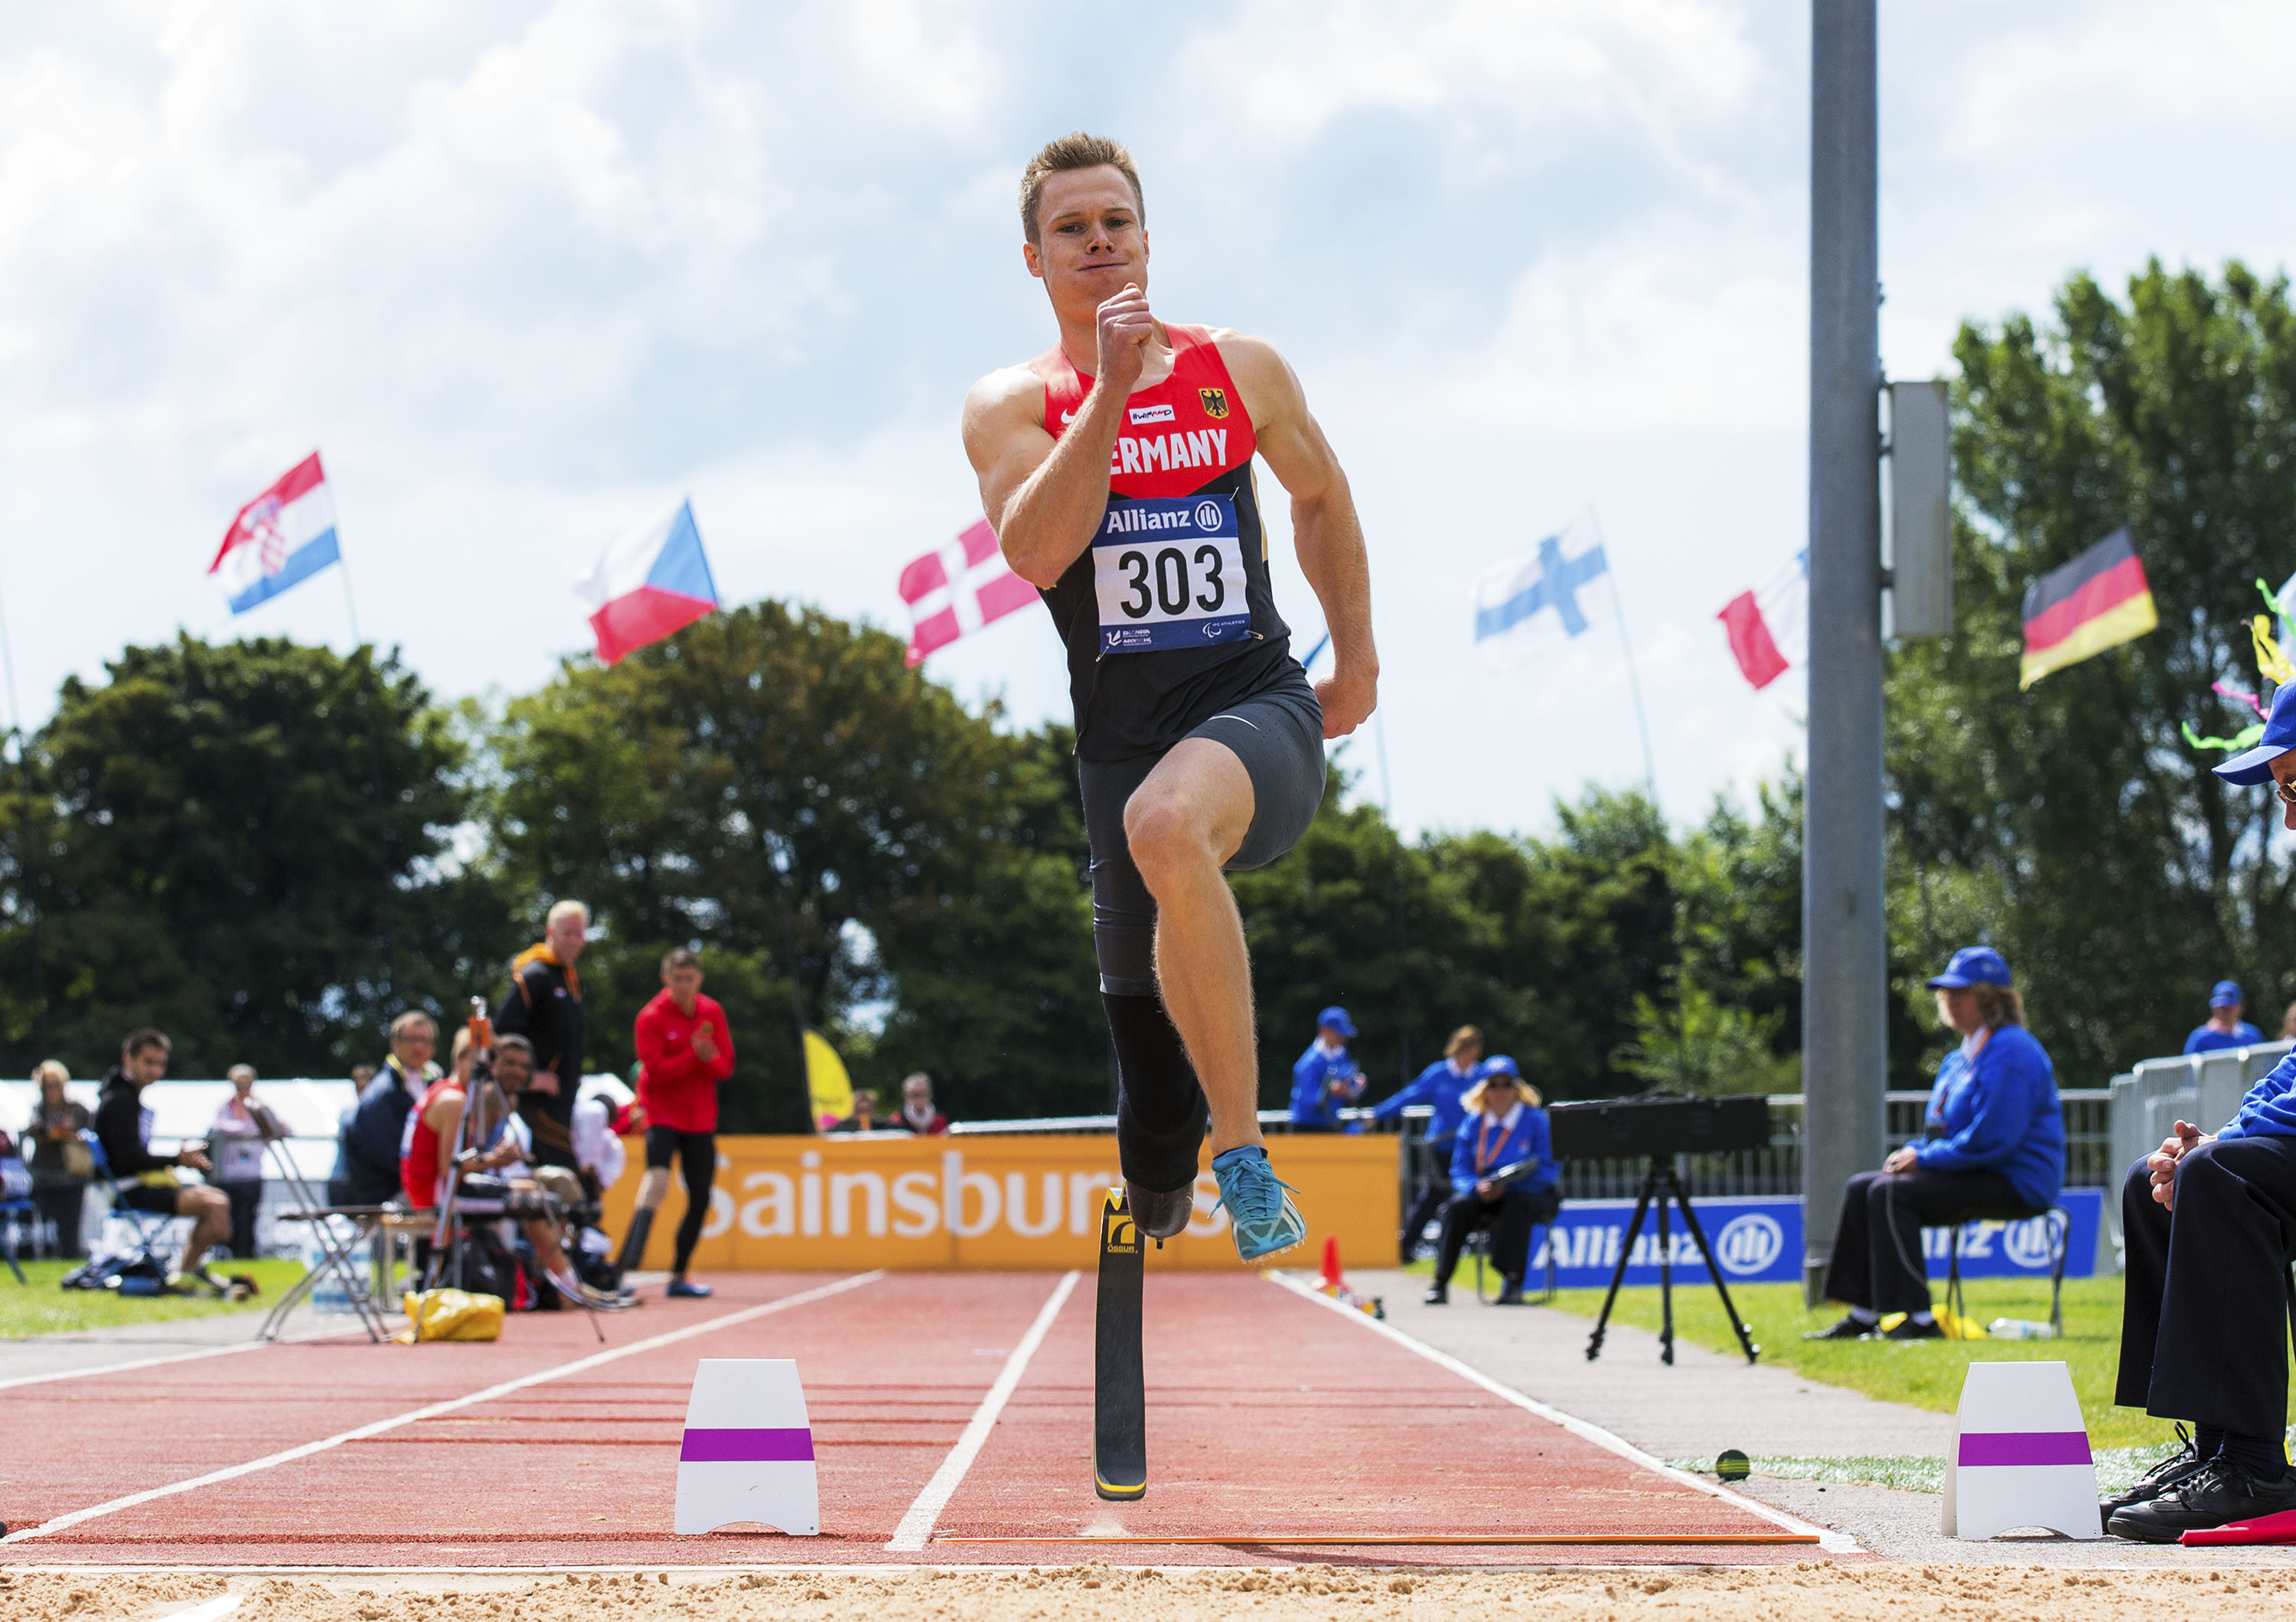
(839, 835)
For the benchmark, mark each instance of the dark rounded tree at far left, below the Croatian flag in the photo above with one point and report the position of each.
(245, 844)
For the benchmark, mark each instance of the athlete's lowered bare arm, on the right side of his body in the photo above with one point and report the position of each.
(1326, 532)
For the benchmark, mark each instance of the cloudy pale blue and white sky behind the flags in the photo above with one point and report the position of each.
(529, 275)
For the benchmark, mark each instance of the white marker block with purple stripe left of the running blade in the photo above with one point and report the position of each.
(747, 1453)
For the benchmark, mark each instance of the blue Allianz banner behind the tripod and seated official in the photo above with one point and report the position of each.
(1760, 1242)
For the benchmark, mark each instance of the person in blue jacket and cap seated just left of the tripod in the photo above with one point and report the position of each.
(1505, 1129)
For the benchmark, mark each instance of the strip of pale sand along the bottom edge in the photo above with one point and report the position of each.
(1801, 1593)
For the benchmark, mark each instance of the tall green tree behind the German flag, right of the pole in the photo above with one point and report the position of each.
(2070, 826)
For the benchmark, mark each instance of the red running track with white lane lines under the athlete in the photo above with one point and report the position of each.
(1269, 1414)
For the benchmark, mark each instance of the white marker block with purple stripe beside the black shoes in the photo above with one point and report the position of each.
(2022, 1455)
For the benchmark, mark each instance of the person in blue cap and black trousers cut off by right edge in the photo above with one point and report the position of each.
(2208, 1230)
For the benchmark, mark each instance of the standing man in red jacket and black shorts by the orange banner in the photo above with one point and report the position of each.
(688, 1051)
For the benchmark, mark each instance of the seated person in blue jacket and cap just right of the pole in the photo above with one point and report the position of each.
(1994, 1148)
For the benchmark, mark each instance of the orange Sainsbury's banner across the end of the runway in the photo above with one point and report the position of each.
(988, 1203)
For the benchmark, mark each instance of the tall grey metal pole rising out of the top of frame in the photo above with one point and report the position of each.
(1845, 957)
